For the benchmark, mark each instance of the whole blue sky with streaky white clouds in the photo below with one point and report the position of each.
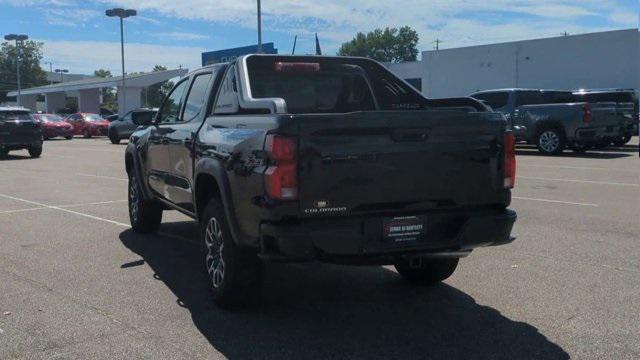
(79, 37)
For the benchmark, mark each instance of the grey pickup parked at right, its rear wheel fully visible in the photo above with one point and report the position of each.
(554, 120)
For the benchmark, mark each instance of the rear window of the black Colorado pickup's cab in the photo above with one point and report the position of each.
(330, 85)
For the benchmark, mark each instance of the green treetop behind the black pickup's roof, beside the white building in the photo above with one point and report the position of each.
(387, 45)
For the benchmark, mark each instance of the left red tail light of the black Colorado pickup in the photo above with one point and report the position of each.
(281, 178)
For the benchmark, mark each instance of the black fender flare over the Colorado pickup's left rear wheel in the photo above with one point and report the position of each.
(216, 169)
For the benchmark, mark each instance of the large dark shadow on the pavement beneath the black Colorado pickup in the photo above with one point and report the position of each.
(328, 311)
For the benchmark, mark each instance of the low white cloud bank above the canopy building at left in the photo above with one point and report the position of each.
(86, 56)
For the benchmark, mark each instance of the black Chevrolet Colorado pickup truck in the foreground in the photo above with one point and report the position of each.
(300, 158)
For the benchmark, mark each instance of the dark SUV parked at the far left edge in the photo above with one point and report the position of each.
(19, 130)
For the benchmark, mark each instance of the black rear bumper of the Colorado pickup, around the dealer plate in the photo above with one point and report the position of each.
(360, 240)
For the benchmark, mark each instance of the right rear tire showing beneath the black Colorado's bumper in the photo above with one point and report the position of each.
(428, 272)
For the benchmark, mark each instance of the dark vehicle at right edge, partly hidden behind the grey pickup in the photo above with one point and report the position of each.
(627, 108)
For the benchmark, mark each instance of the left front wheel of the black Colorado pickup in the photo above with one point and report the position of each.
(145, 216)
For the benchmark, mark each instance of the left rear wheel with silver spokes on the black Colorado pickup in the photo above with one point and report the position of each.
(234, 273)
